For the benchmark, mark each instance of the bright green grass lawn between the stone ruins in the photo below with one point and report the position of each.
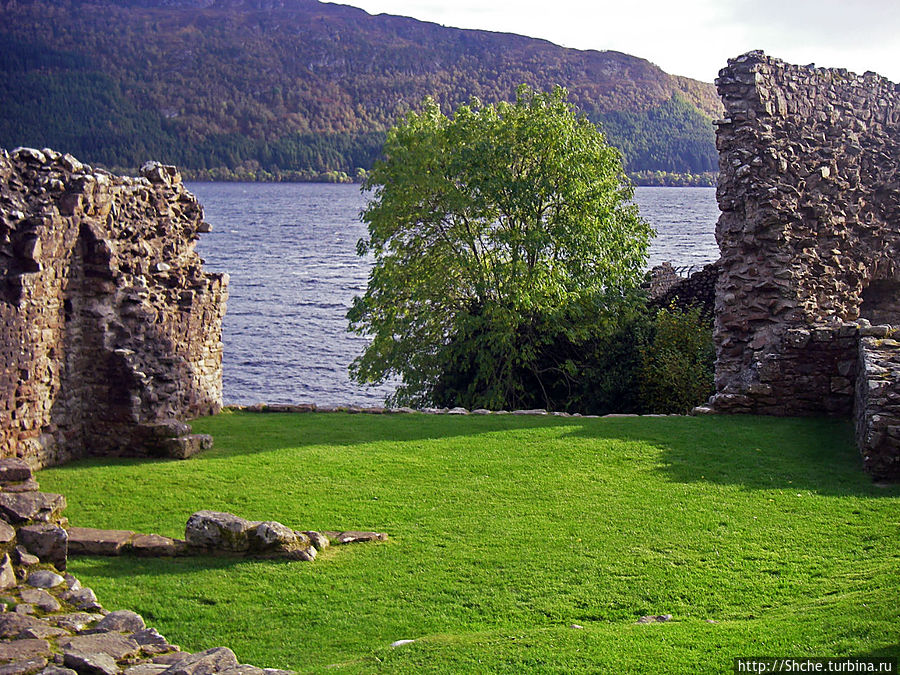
(505, 531)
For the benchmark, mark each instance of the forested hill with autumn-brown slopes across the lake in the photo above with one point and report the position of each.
(299, 85)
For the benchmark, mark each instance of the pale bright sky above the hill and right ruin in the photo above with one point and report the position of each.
(694, 38)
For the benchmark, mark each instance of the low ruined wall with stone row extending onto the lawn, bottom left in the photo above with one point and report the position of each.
(51, 624)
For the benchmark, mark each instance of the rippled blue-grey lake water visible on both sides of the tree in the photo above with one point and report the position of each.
(291, 252)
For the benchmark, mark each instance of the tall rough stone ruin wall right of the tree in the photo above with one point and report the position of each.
(809, 234)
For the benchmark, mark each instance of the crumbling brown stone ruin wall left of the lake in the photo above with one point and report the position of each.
(109, 327)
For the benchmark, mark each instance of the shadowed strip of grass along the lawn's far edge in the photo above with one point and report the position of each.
(816, 454)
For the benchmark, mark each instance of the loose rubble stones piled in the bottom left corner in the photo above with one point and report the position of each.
(51, 625)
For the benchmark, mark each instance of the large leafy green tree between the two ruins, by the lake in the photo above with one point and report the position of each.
(496, 233)
